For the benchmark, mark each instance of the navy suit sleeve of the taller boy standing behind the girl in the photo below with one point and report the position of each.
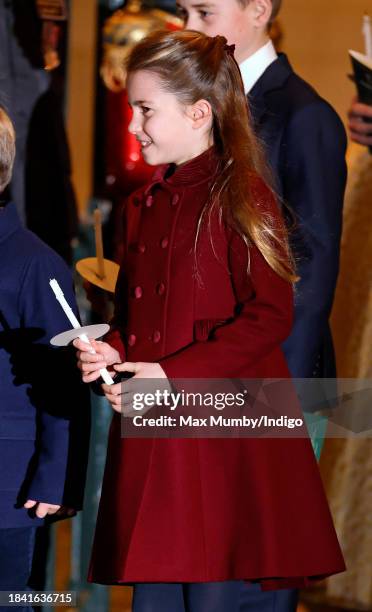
(314, 174)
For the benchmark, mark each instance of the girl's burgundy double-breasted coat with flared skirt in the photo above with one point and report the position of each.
(205, 510)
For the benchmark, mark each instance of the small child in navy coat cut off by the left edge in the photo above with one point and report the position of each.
(39, 421)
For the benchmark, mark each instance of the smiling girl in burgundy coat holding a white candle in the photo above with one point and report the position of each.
(204, 291)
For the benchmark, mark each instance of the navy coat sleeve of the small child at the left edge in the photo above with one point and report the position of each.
(60, 399)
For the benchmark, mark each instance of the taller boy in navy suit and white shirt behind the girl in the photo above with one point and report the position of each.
(305, 143)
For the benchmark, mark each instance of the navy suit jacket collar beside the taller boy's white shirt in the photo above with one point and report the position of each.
(274, 77)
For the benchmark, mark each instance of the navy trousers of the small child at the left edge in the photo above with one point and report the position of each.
(16, 553)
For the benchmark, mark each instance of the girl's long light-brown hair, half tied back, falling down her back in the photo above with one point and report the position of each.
(194, 67)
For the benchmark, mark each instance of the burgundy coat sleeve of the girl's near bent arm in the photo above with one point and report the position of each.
(262, 321)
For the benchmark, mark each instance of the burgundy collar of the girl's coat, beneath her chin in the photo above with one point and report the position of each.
(198, 170)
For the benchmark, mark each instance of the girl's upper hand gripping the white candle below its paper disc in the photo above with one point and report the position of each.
(91, 364)
